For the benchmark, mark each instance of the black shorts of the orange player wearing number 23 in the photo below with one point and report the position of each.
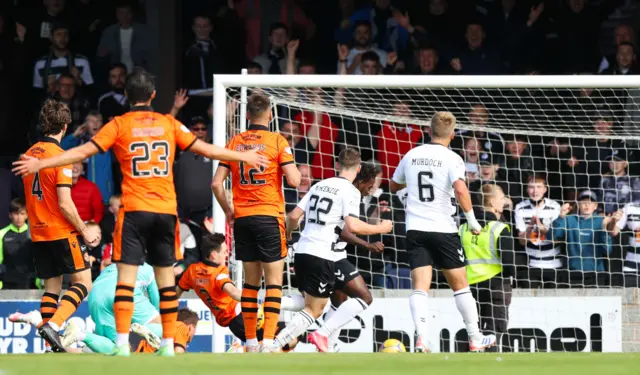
(142, 236)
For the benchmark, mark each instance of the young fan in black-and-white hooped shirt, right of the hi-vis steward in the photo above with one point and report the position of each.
(532, 217)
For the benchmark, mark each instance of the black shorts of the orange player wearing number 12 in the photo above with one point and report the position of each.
(260, 239)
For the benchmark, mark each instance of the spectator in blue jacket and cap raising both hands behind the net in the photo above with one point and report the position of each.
(588, 240)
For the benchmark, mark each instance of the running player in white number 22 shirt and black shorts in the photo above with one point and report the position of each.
(328, 207)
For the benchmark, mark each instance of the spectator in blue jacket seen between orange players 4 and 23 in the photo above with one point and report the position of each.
(99, 168)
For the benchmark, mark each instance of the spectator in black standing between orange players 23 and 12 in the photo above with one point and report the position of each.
(193, 175)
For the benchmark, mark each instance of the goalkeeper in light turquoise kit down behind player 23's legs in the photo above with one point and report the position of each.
(100, 301)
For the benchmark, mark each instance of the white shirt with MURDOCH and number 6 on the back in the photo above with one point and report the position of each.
(429, 172)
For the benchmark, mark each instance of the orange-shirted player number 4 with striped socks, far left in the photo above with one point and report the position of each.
(58, 234)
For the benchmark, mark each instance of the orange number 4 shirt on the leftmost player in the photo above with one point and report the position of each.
(46, 221)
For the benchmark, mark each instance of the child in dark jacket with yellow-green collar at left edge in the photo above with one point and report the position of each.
(16, 258)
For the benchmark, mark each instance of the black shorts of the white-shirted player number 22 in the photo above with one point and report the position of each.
(315, 276)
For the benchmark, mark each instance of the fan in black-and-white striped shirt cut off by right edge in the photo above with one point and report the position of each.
(629, 224)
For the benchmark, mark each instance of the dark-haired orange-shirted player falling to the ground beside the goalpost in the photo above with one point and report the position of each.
(210, 280)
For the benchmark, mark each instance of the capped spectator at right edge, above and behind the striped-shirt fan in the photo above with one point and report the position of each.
(617, 187)
